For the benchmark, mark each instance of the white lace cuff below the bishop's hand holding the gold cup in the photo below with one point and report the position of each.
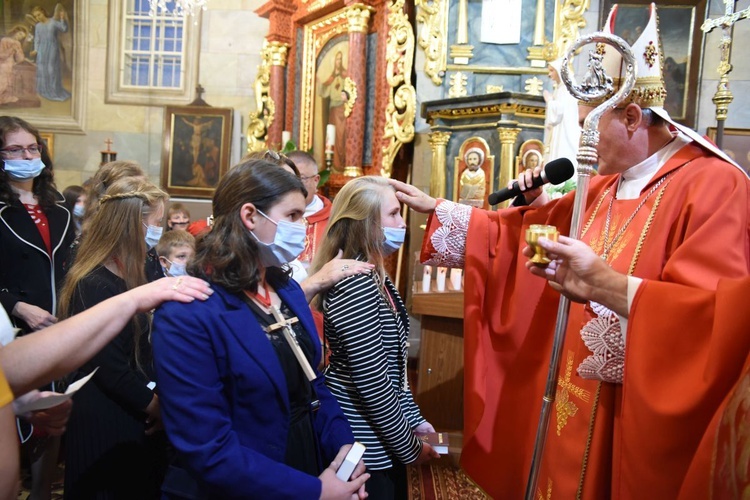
(603, 336)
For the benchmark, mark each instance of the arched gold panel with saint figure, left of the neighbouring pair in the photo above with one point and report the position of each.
(474, 173)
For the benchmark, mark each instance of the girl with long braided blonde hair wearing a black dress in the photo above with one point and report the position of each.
(113, 447)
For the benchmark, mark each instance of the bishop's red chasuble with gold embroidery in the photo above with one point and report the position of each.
(604, 439)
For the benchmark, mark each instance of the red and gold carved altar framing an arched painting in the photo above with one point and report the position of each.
(345, 83)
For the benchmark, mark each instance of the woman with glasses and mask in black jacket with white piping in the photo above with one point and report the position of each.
(36, 232)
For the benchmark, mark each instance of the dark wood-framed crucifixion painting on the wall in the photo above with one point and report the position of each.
(195, 151)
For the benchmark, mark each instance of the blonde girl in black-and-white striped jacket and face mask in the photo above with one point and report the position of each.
(366, 325)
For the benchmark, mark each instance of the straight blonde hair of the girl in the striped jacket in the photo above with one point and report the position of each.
(355, 226)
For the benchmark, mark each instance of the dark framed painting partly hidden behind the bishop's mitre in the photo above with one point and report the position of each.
(682, 42)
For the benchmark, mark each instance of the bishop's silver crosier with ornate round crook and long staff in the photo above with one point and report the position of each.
(596, 85)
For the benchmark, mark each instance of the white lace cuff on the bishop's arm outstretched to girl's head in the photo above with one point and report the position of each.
(449, 240)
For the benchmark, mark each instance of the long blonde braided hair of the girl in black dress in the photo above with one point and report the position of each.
(115, 232)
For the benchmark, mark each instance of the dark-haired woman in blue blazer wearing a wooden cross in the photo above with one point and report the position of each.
(243, 405)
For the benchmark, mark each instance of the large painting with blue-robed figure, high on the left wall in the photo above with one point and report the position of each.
(59, 104)
